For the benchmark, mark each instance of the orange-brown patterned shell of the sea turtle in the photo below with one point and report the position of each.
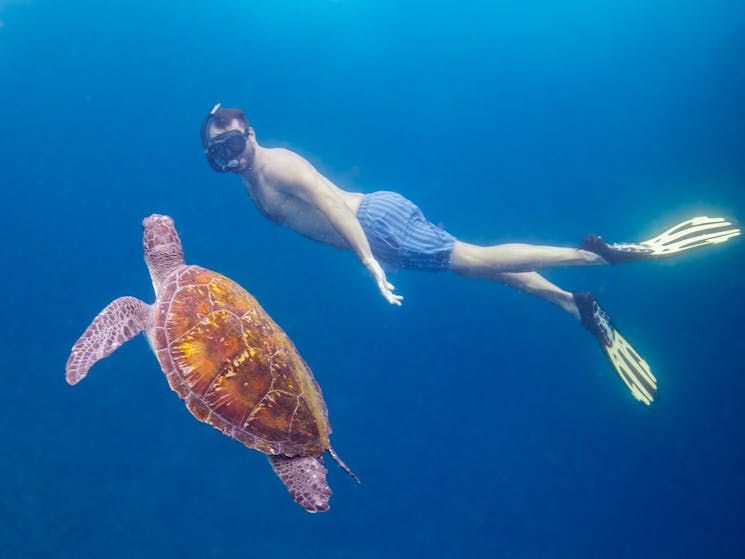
(234, 367)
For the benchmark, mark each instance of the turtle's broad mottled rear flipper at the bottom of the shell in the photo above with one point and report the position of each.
(305, 479)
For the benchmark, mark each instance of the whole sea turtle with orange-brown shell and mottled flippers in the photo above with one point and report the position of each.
(226, 358)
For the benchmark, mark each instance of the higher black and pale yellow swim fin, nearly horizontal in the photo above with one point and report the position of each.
(692, 233)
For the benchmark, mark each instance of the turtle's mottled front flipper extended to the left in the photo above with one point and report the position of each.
(119, 322)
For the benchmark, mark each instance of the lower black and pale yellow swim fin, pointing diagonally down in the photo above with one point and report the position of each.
(633, 370)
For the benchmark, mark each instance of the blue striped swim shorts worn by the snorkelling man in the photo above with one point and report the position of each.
(400, 236)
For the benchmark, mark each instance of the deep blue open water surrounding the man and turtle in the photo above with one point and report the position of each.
(482, 423)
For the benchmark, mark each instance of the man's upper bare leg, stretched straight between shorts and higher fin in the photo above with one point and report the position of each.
(484, 262)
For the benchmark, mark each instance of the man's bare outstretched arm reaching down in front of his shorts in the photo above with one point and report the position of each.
(309, 185)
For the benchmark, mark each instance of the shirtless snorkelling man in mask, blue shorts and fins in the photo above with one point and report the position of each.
(386, 228)
